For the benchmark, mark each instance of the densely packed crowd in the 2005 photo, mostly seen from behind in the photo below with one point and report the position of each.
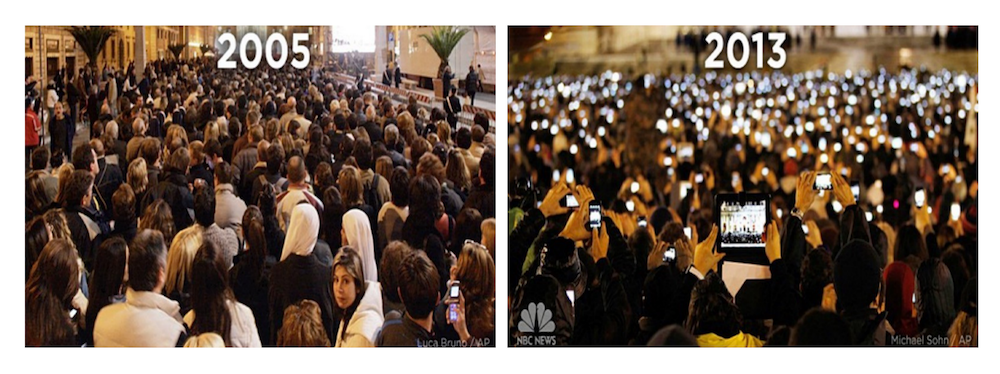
(248, 208)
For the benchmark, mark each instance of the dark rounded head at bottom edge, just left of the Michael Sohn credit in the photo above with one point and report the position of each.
(821, 327)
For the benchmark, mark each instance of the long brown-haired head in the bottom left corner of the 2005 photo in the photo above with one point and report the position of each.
(54, 280)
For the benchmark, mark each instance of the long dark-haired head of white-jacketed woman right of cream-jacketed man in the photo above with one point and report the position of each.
(210, 291)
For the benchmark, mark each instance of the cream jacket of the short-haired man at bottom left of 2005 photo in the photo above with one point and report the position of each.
(145, 319)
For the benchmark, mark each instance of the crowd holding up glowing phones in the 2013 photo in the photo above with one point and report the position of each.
(891, 261)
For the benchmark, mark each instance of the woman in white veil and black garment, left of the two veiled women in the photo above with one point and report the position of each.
(301, 274)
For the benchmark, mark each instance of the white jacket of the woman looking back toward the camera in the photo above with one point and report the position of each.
(366, 321)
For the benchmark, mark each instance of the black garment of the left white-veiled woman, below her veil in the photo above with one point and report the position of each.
(297, 278)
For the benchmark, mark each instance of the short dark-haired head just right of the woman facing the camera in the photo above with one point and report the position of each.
(418, 285)
